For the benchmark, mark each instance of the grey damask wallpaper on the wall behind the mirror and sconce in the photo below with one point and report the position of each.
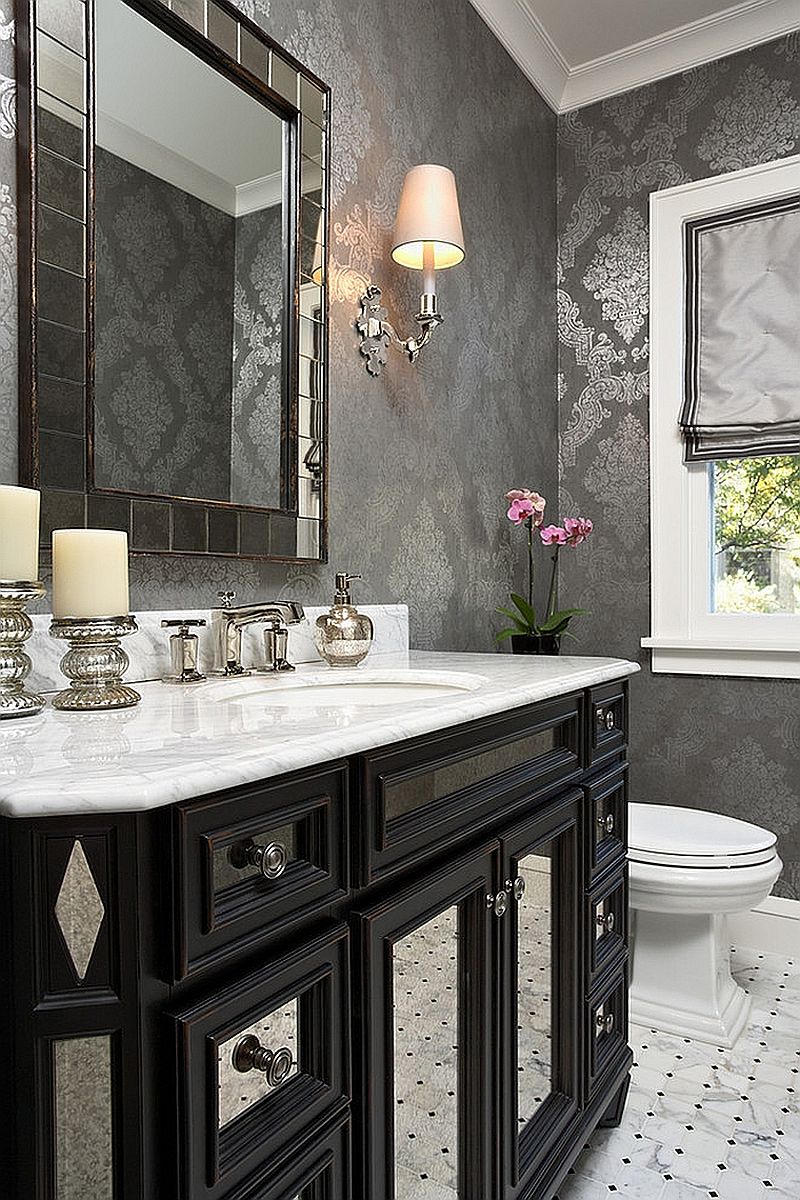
(422, 458)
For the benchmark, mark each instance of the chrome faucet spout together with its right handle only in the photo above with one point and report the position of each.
(228, 621)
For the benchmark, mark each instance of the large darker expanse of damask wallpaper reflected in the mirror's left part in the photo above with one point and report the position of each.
(164, 337)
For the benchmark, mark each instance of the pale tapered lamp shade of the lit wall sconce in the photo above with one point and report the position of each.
(429, 213)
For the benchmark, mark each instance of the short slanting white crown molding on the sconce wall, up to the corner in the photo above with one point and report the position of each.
(518, 27)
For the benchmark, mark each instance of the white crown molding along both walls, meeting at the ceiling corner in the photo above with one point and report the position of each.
(566, 88)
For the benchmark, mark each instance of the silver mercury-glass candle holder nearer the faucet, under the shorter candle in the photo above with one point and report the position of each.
(95, 663)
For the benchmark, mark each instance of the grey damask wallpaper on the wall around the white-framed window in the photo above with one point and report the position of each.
(731, 746)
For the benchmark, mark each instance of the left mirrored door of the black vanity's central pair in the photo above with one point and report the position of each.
(426, 1022)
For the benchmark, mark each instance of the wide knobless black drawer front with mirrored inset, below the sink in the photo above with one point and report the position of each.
(434, 790)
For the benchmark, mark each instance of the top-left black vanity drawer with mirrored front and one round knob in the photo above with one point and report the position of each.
(257, 862)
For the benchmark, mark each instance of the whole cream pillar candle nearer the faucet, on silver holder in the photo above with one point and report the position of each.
(91, 573)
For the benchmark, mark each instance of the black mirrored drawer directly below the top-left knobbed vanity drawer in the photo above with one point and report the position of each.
(261, 1065)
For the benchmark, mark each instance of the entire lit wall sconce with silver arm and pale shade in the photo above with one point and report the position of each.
(428, 238)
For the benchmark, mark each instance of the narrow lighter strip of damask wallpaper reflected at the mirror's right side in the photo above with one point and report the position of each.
(257, 397)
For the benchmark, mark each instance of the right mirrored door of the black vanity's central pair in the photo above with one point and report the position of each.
(540, 1075)
